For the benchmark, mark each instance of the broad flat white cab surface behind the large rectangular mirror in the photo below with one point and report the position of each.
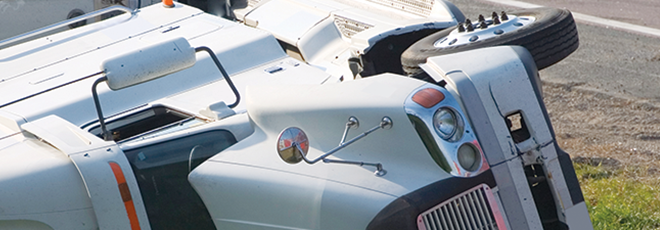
(54, 74)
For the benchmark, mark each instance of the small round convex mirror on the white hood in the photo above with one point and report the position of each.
(292, 145)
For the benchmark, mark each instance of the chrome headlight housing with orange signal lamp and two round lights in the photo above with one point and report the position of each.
(453, 144)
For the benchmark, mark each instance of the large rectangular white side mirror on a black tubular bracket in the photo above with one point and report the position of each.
(149, 63)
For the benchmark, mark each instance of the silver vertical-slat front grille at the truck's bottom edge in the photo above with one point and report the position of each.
(473, 209)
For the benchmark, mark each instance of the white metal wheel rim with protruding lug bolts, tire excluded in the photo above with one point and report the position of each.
(463, 35)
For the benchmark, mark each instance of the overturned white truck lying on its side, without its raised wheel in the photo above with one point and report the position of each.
(171, 118)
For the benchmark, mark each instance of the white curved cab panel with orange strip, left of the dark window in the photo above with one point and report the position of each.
(92, 156)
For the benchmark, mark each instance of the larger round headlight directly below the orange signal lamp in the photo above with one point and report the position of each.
(447, 124)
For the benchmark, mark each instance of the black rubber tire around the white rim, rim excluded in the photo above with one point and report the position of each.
(550, 38)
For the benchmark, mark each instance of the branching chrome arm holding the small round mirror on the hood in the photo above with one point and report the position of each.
(386, 123)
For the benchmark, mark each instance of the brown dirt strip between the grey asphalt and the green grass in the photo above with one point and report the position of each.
(605, 129)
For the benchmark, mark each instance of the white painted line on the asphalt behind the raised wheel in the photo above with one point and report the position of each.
(589, 19)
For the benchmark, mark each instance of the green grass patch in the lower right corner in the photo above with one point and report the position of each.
(620, 199)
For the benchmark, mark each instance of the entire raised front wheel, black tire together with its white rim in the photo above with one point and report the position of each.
(549, 34)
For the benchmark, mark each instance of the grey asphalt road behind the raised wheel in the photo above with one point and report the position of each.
(610, 59)
